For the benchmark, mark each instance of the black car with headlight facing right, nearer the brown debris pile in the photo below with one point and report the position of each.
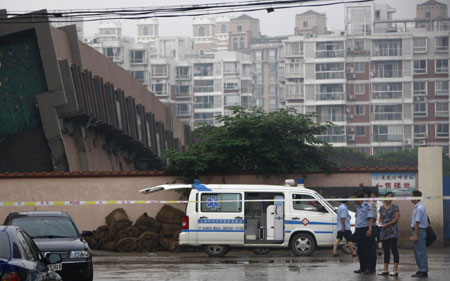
(56, 232)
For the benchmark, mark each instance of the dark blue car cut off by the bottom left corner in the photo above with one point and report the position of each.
(20, 258)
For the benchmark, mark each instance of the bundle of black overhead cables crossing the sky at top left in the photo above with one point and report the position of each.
(72, 16)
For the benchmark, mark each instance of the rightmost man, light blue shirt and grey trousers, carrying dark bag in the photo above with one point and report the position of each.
(419, 235)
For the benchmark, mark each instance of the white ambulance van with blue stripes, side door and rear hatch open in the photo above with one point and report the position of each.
(256, 216)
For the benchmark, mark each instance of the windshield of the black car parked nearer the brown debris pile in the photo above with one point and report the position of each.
(47, 227)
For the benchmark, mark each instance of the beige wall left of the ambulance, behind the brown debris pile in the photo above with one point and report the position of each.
(85, 188)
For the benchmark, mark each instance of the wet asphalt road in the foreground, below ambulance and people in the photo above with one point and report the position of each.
(245, 265)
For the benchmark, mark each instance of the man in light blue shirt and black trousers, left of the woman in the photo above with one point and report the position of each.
(364, 236)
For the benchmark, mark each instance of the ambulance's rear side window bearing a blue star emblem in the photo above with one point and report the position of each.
(211, 202)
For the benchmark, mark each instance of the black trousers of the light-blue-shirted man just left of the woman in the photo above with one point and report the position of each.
(367, 251)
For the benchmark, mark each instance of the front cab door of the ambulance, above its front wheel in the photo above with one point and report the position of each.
(308, 213)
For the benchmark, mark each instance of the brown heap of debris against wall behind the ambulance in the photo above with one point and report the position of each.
(147, 234)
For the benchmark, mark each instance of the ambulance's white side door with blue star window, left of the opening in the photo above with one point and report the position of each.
(221, 222)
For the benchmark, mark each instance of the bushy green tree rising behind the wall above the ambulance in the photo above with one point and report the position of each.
(251, 141)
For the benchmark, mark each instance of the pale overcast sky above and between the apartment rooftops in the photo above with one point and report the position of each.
(280, 22)
